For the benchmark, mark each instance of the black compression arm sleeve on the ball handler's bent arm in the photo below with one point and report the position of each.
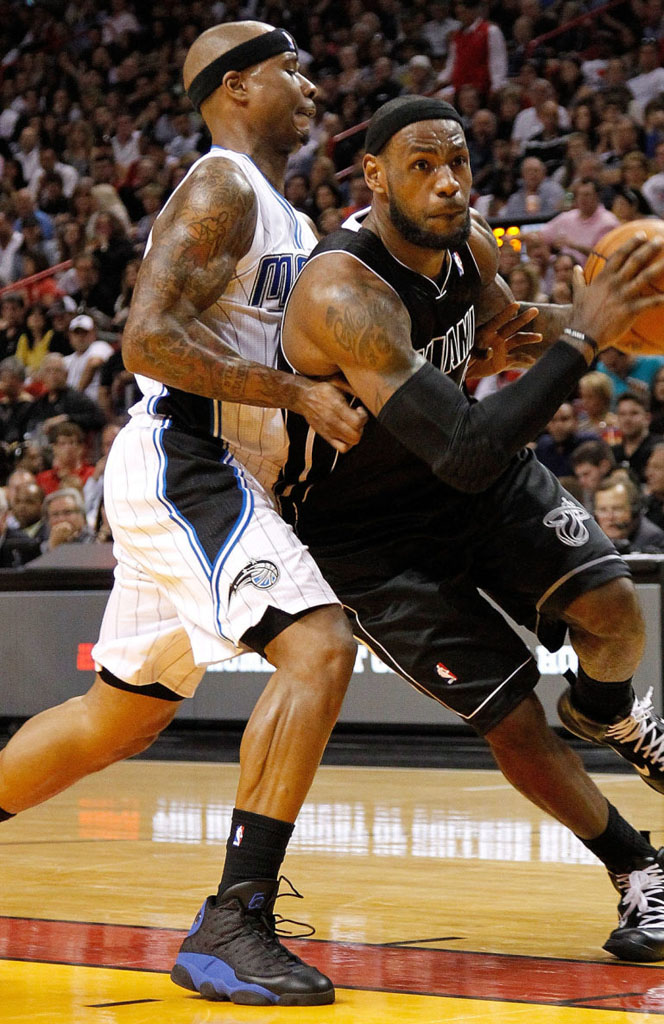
(467, 445)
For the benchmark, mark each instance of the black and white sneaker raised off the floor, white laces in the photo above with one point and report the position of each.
(639, 738)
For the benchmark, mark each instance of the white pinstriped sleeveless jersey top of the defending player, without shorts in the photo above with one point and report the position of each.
(247, 317)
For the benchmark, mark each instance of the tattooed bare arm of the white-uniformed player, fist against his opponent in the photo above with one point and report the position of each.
(198, 240)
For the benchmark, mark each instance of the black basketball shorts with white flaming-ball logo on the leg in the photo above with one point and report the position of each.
(414, 600)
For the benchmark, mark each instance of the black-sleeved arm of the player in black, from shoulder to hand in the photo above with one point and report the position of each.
(342, 316)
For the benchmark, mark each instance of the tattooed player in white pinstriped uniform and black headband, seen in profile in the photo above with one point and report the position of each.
(206, 569)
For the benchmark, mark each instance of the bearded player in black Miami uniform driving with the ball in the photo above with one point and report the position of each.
(440, 497)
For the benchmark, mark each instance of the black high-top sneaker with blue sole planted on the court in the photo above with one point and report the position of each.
(233, 953)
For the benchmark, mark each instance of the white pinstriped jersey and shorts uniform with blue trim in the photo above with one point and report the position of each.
(206, 567)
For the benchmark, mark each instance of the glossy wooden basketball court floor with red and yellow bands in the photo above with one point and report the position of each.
(438, 897)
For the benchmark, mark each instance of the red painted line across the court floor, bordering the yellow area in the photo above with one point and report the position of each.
(431, 972)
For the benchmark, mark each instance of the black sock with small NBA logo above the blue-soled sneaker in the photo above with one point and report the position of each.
(256, 848)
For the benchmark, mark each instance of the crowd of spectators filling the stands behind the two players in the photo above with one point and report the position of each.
(563, 103)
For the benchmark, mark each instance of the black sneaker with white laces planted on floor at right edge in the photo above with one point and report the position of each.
(640, 935)
